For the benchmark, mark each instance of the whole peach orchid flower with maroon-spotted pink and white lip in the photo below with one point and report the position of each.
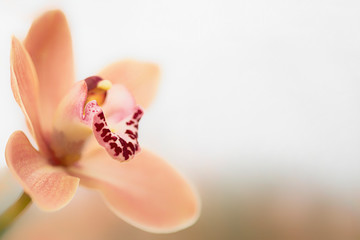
(87, 133)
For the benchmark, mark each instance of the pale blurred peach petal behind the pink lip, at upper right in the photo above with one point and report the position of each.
(141, 78)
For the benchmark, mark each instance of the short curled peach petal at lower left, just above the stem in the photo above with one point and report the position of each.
(50, 187)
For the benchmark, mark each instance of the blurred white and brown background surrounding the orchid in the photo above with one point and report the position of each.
(259, 105)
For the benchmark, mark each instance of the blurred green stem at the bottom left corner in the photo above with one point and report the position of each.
(9, 216)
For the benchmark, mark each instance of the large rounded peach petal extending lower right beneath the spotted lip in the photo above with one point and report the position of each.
(146, 191)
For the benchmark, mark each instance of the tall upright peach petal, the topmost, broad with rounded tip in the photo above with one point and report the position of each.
(49, 45)
